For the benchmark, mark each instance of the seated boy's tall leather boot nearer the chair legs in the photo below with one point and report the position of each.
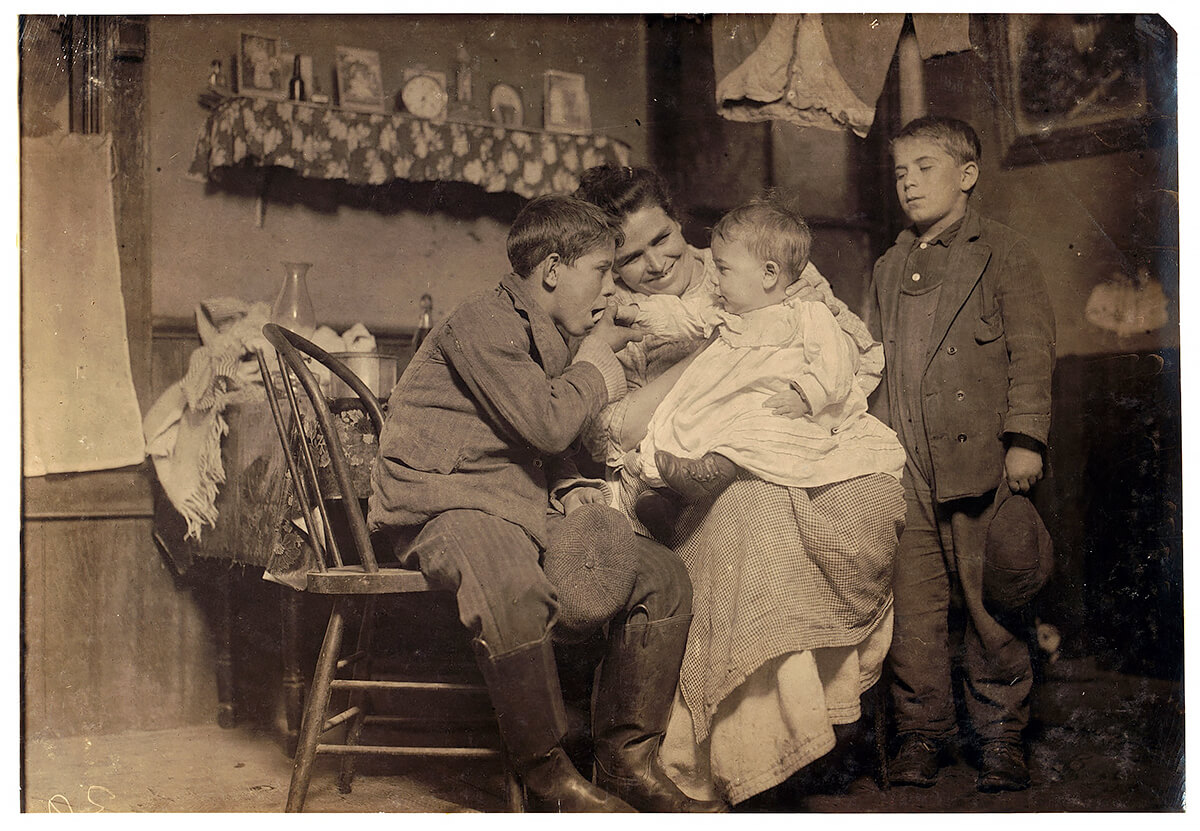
(525, 691)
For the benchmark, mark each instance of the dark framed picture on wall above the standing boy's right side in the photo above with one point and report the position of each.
(1073, 86)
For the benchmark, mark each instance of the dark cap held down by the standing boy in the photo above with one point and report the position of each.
(1018, 555)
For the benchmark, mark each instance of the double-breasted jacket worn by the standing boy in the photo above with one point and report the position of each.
(992, 354)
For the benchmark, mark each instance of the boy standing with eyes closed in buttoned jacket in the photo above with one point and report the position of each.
(969, 345)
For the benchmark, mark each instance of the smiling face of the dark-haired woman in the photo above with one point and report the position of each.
(653, 249)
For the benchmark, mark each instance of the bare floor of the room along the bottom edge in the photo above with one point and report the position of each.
(1101, 743)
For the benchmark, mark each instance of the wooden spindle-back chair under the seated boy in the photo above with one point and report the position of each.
(351, 582)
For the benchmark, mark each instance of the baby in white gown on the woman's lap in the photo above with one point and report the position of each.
(765, 339)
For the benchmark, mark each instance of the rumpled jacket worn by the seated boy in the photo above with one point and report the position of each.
(483, 414)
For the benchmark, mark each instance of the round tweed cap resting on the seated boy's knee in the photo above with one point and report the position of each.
(592, 563)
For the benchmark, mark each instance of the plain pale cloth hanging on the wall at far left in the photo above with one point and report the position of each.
(81, 411)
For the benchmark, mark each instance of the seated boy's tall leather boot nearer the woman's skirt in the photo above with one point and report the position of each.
(634, 697)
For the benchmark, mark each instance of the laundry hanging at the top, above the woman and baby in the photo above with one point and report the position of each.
(814, 70)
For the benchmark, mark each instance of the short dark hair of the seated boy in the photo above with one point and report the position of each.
(560, 225)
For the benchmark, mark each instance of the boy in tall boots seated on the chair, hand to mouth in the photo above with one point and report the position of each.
(479, 432)
